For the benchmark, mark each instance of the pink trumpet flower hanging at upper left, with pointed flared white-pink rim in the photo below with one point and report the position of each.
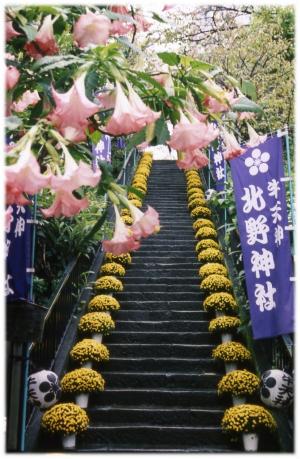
(72, 110)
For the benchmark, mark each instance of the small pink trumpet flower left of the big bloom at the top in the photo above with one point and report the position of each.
(44, 43)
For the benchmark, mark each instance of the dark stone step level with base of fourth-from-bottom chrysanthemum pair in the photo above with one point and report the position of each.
(161, 337)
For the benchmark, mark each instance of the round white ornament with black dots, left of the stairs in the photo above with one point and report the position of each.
(44, 389)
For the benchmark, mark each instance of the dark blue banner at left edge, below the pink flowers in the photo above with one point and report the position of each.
(18, 253)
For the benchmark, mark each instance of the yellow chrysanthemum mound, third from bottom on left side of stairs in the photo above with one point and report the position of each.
(89, 349)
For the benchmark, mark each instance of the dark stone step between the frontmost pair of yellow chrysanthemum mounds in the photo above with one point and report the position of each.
(167, 416)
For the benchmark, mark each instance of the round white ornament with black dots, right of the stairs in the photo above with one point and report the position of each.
(276, 388)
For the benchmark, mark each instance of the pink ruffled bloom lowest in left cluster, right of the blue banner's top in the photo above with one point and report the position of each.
(65, 204)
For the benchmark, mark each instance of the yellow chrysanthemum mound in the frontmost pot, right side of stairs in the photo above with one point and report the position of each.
(247, 418)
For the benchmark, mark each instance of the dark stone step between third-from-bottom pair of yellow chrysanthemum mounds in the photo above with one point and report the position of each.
(160, 350)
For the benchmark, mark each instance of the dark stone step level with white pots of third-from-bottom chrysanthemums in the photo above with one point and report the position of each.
(159, 364)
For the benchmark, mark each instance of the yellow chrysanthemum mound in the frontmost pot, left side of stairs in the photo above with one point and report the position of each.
(65, 418)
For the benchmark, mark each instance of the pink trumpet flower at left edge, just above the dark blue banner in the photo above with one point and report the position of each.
(24, 177)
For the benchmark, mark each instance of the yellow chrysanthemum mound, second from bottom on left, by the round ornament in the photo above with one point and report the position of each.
(82, 380)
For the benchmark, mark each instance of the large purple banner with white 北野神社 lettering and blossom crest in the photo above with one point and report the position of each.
(262, 221)
